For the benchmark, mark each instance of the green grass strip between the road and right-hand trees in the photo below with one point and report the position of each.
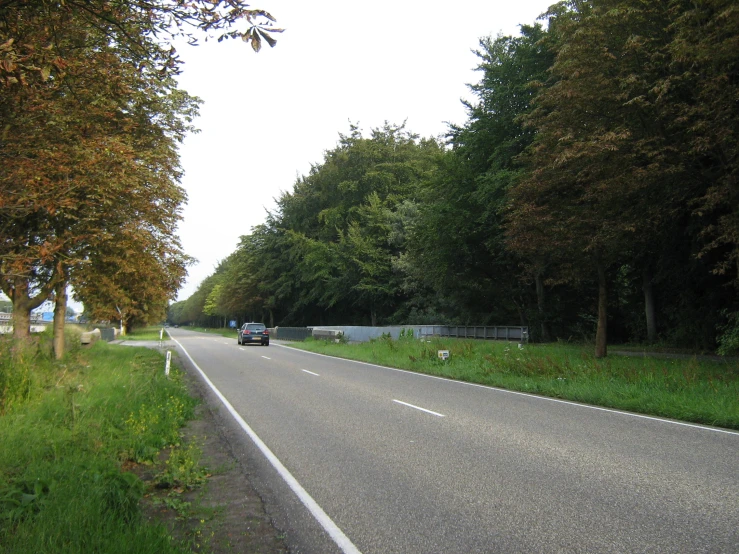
(694, 390)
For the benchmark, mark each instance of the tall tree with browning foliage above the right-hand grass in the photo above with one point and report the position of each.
(609, 181)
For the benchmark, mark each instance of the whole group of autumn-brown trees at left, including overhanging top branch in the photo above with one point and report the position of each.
(90, 121)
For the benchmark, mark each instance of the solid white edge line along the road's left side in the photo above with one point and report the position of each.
(336, 534)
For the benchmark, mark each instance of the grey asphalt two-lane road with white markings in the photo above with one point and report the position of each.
(398, 462)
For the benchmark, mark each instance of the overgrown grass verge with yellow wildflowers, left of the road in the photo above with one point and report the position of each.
(69, 432)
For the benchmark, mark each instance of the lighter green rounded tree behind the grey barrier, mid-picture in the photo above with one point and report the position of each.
(338, 219)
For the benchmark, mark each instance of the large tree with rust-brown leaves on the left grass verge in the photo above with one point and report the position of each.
(89, 152)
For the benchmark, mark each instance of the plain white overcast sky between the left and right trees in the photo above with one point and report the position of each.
(267, 117)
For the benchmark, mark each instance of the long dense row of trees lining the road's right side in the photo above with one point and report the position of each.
(592, 189)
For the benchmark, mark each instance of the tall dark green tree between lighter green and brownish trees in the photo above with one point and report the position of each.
(469, 261)
